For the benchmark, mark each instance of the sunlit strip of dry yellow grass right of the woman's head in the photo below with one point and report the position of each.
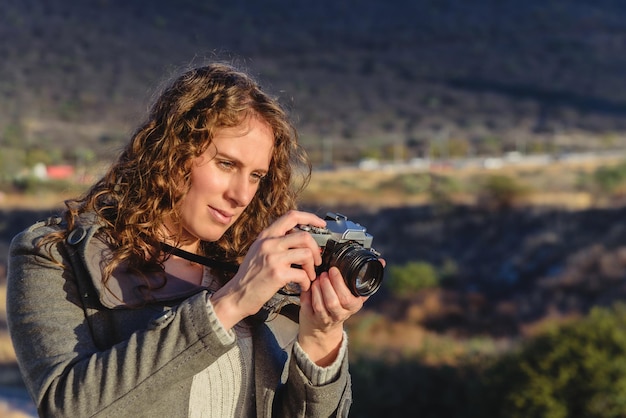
(549, 185)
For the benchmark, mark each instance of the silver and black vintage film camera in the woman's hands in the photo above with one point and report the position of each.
(348, 247)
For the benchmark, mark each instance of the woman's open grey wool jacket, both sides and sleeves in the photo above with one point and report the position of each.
(84, 353)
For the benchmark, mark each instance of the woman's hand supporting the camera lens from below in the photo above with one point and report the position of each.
(324, 309)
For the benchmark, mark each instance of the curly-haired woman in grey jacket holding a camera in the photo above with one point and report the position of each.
(115, 308)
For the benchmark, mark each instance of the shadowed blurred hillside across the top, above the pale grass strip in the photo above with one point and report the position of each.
(483, 76)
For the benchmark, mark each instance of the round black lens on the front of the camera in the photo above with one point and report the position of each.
(361, 269)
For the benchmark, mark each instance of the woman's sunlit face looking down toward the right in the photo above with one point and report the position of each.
(224, 179)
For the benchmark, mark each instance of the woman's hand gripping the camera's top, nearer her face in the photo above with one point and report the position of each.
(269, 266)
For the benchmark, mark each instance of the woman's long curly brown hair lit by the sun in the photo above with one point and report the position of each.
(147, 183)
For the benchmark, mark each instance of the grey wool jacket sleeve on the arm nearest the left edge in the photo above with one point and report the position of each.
(65, 372)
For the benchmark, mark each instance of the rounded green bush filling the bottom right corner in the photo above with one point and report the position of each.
(575, 371)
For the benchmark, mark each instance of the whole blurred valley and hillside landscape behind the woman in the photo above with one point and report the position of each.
(482, 143)
